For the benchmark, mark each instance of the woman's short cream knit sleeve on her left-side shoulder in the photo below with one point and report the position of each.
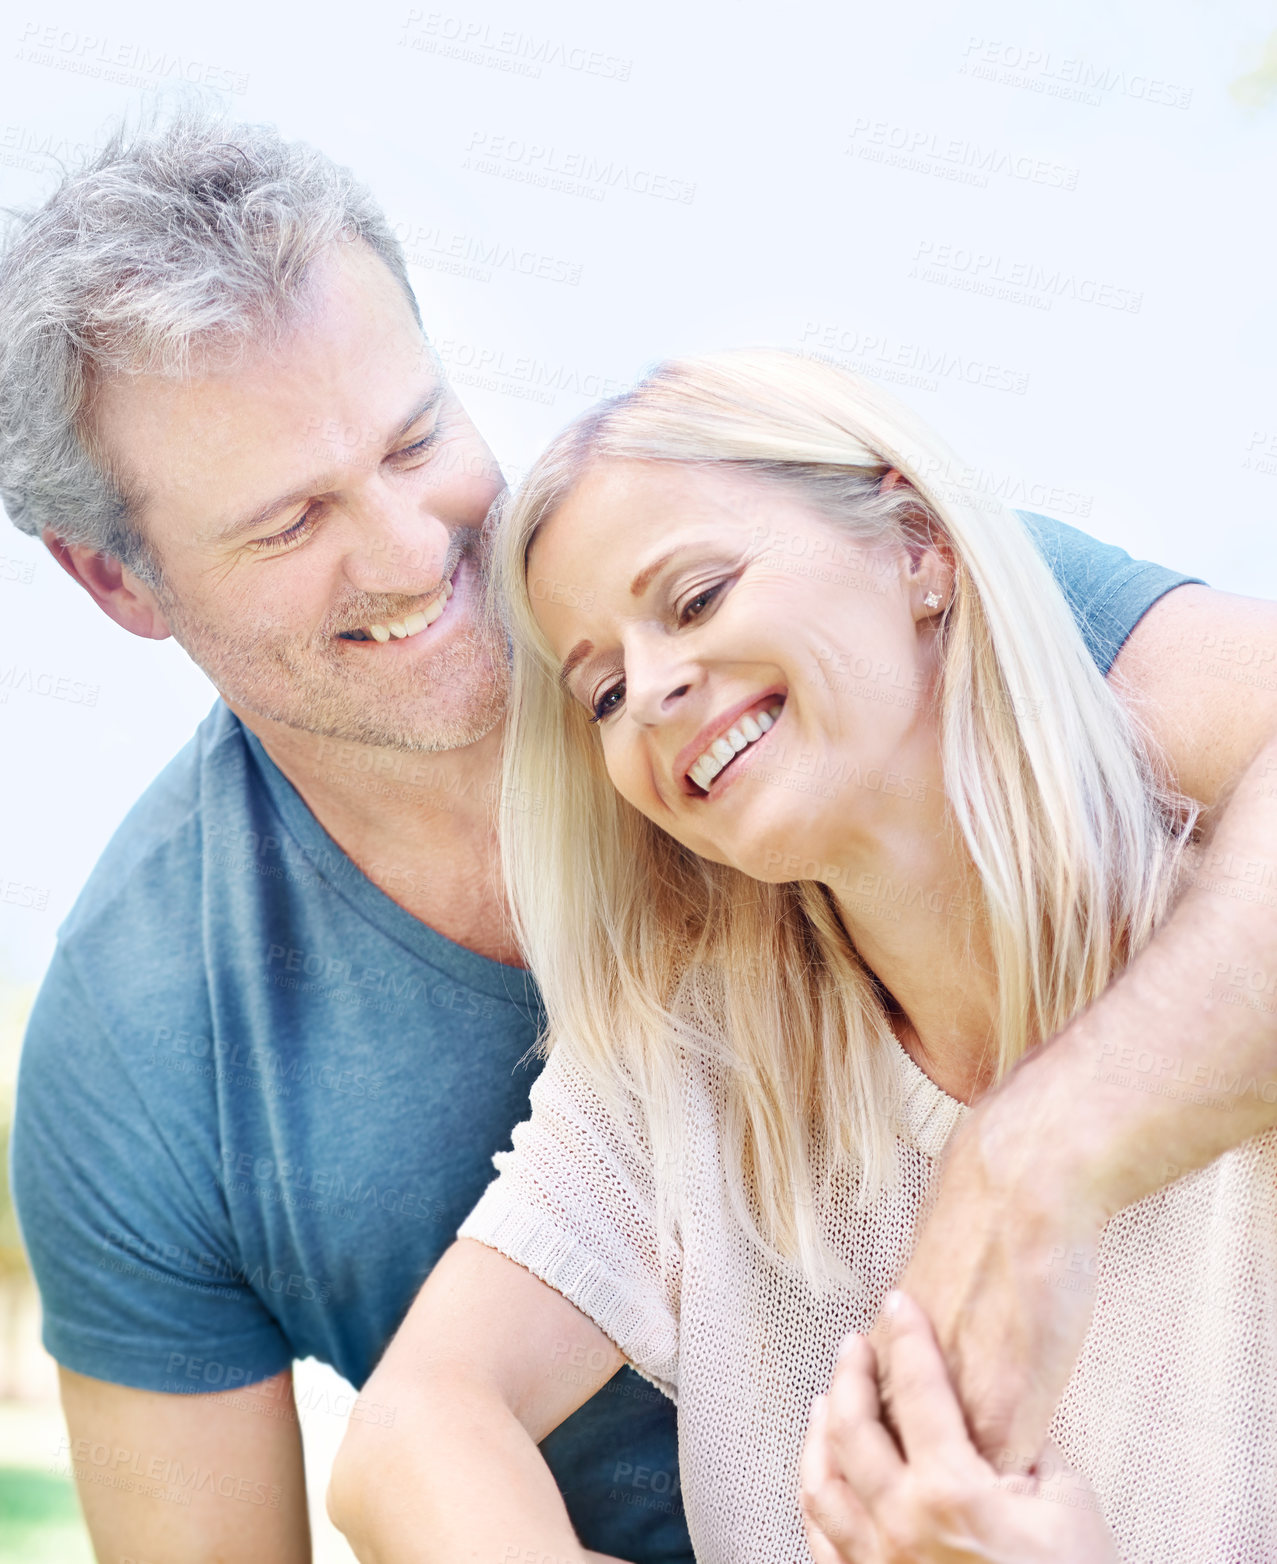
(575, 1205)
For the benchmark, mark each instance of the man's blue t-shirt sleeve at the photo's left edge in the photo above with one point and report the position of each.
(123, 1218)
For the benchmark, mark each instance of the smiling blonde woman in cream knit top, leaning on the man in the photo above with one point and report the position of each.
(741, 600)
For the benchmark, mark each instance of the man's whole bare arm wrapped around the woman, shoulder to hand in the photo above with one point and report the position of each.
(1045, 1161)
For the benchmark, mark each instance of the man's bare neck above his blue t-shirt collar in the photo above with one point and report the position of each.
(420, 825)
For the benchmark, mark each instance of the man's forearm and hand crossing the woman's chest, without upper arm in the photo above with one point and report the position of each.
(1171, 1067)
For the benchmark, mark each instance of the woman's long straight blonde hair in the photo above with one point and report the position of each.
(649, 955)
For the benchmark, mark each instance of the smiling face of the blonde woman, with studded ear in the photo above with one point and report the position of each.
(699, 608)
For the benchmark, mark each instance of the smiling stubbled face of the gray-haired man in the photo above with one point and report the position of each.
(317, 511)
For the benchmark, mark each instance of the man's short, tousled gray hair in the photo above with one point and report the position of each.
(179, 239)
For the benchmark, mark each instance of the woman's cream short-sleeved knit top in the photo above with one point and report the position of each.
(1171, 1410)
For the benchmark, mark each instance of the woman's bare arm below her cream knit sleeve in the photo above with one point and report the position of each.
(486, 1365)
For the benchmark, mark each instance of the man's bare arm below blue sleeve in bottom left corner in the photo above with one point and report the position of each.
(189, 1479)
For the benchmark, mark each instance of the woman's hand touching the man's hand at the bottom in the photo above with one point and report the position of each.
(940, 1502)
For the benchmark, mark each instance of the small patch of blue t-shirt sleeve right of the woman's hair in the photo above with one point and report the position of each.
(1107, 590)
